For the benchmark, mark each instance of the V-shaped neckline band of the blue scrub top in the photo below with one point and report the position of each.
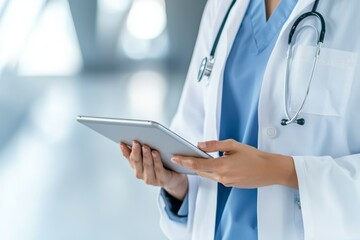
(265, 31)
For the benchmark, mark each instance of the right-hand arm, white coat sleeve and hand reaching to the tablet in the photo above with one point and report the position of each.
(329, 187)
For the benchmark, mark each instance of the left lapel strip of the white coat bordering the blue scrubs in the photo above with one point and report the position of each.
(204, 224)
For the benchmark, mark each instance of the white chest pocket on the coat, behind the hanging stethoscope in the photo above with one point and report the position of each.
(331, 86)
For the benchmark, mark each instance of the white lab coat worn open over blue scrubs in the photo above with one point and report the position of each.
(326, 150)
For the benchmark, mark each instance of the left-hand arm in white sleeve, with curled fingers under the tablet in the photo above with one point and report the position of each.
(190, 107)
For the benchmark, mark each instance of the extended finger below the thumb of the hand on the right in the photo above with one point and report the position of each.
(197, 164)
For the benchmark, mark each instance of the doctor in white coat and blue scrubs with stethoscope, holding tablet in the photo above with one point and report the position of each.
(278, 110)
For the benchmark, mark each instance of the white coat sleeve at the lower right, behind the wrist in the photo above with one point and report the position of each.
(330, 196)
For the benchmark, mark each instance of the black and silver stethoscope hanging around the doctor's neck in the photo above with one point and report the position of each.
(207, 63)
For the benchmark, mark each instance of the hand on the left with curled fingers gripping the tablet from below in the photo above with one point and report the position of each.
(148, 167)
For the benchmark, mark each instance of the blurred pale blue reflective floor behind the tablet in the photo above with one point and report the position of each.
(60, 180)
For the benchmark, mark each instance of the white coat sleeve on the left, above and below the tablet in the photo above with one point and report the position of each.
(189, 118)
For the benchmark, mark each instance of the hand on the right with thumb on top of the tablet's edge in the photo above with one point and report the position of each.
(241, 165)
